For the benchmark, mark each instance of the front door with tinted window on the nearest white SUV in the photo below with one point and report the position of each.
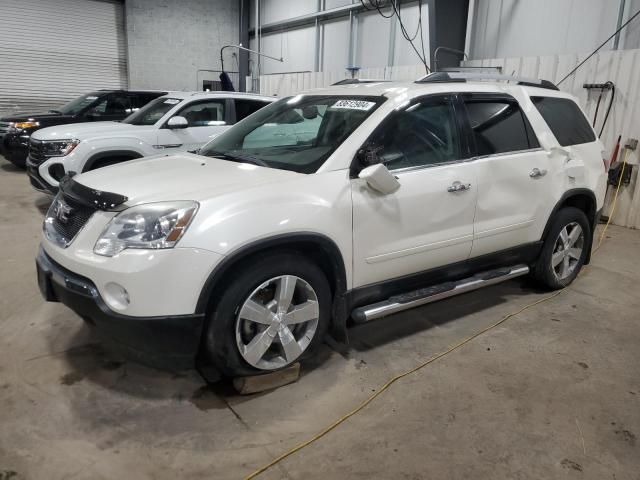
(428, 221)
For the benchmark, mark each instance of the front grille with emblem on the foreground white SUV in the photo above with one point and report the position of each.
(65, 219)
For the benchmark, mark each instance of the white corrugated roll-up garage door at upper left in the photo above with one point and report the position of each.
(54, 50)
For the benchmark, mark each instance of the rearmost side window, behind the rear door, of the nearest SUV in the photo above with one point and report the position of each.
(565, 120)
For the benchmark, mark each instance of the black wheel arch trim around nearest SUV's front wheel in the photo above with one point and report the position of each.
(320, 243)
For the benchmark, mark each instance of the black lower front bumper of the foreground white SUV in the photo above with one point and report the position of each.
(160, 341)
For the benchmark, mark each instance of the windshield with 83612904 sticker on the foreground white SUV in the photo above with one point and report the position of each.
(297, 133)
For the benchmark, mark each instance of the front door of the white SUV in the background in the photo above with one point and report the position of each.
(206, 119)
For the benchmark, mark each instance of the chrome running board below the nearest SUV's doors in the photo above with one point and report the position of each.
(405, 301)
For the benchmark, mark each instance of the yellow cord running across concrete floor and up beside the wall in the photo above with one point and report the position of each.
(384, 387)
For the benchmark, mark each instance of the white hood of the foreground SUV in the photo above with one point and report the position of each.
(183, 176)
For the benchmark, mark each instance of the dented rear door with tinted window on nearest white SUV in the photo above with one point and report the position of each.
(515, 175)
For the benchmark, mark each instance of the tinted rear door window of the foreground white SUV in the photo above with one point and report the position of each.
(499, 126)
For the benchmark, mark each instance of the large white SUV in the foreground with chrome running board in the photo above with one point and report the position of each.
(341, 204)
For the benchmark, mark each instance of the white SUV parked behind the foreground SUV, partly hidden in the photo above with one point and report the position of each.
(175, 122)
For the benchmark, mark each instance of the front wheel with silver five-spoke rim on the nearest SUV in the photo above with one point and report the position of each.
(273, 313)
